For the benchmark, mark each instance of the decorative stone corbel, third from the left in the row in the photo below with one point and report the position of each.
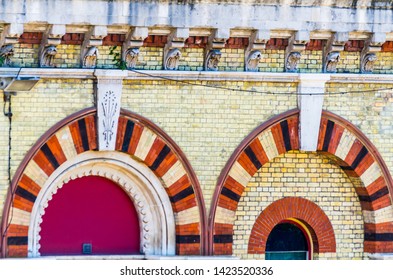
(89, 51)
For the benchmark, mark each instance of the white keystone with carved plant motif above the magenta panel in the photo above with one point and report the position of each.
(108, 101)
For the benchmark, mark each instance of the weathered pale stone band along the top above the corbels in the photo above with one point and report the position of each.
(309, 15)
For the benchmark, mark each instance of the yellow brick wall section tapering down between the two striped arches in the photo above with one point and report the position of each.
(208, 124)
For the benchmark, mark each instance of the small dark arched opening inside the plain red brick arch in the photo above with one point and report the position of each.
(288, 241)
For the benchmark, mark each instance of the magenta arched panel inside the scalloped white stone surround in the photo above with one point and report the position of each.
(80, 219)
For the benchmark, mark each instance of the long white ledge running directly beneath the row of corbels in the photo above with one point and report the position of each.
(77, 73)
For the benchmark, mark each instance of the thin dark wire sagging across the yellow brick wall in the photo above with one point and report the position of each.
(256, 91)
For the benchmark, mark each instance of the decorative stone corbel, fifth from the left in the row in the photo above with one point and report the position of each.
(172, 53)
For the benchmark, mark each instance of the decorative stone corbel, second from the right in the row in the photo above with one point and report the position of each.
(331, 51)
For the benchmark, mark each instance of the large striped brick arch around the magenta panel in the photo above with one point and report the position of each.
(73, 139)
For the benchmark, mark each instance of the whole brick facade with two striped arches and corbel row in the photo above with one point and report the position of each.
(217, 128)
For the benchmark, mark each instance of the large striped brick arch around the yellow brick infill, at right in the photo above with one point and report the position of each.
(338, 139)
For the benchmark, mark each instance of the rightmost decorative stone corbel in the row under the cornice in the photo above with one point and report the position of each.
(368, 54)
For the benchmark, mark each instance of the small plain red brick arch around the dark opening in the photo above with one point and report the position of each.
(307, 212)
